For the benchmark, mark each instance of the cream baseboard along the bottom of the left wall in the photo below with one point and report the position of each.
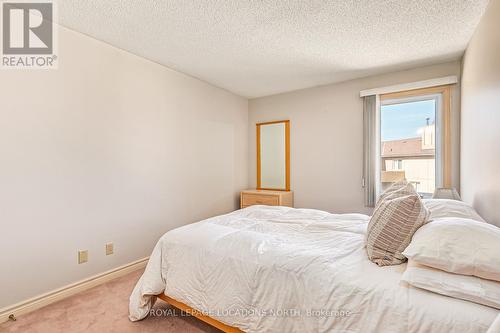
(69, 290)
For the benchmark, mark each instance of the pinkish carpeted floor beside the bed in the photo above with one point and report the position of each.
(103, 309)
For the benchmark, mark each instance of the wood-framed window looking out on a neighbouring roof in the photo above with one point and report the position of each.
(413, 139)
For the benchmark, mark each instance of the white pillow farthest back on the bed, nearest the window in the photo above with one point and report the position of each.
(450, 208)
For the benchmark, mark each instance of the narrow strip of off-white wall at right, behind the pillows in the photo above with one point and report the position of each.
(480, 155)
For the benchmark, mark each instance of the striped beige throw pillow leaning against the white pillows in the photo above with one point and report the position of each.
(392, 225)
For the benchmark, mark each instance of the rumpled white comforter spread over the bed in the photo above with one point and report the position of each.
(279, 269)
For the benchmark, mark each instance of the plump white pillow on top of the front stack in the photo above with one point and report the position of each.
(457, 245)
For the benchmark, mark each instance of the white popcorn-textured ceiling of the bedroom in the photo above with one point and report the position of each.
(258, 48)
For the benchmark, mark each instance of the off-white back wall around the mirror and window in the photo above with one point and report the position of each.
(326, 136)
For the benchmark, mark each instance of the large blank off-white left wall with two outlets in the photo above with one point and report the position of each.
(110, 147)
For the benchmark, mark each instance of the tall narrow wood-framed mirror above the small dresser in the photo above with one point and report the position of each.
(273, 155)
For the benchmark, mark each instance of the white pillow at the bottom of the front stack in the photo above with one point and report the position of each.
(469, 288)
